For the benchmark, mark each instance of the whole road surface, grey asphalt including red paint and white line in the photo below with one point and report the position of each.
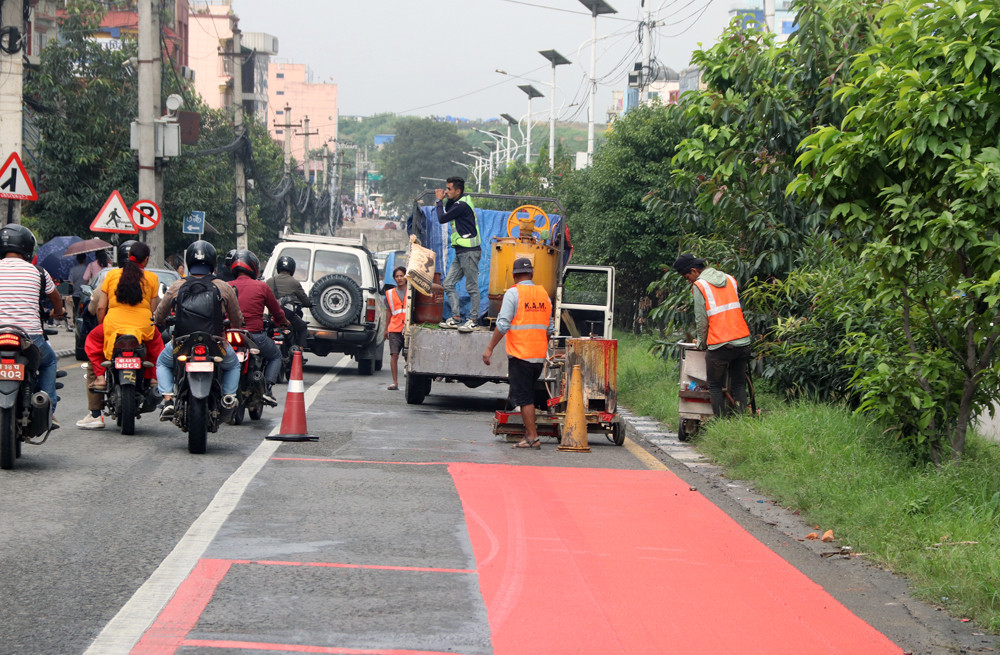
(406, 530)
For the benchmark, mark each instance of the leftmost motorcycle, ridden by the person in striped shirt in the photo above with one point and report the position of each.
(24, 414)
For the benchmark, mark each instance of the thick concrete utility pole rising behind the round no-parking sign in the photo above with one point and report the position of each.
(150, 178)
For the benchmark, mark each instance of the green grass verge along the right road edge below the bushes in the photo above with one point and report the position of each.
(939, 527)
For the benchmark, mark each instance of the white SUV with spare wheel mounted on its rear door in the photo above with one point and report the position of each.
(348, 313)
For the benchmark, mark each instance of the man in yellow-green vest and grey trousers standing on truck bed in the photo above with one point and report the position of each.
(466, 241)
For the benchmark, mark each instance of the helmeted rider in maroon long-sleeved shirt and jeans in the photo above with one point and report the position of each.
(255, 296)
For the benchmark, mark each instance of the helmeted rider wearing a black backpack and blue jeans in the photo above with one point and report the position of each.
(200, 258)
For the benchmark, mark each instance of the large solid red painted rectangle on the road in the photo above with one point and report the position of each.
(605, 561)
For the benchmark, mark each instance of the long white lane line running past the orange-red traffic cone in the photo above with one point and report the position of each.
(123, 632)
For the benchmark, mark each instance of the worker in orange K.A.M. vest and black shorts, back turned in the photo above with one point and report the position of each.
(526, 313)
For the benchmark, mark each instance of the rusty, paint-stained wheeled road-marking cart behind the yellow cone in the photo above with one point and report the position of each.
(598, 361)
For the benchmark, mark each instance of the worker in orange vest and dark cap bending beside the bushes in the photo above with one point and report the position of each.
(721, 329)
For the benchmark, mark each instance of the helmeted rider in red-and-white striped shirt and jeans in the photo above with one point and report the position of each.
(22, 287)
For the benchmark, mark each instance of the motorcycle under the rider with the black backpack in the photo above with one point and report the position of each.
(198, 406)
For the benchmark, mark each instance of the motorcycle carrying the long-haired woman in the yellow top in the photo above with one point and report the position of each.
(128, 393)
